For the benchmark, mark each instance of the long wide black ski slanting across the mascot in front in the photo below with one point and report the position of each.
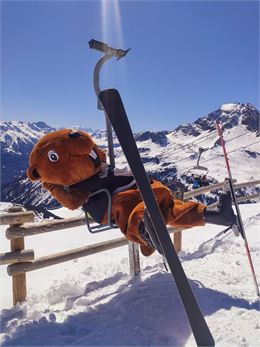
(115, 111)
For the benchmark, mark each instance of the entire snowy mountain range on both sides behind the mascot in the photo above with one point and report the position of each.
(165, 154)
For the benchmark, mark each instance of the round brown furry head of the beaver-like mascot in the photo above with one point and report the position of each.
(65, 157)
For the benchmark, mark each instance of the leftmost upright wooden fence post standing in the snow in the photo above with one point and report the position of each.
(18, 281)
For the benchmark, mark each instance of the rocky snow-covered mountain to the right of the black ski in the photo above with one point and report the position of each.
(179, 149)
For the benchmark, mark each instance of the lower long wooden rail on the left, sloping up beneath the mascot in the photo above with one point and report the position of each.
(15, 269)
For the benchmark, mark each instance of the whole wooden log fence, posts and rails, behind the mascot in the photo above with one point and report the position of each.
(21, 224)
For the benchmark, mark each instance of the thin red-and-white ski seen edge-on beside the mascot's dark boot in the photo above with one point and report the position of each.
(239, 218)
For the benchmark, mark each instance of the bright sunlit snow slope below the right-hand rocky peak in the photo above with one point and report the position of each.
(238, 140)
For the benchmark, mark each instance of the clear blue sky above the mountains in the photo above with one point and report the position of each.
(187, 58)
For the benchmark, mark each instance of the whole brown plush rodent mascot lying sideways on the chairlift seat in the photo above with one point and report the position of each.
(72, 167)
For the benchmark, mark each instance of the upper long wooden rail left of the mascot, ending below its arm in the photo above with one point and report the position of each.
(29, 229)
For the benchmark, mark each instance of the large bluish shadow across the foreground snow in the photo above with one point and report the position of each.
(143, 313)
